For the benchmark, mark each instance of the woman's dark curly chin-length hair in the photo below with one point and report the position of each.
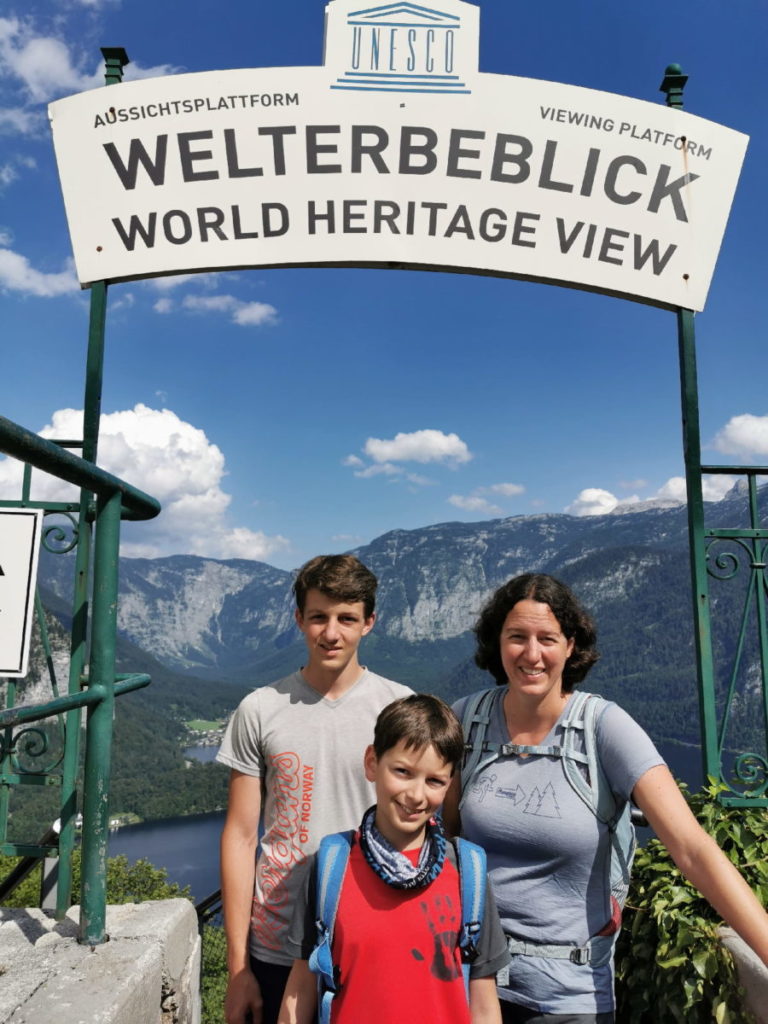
(574, 621)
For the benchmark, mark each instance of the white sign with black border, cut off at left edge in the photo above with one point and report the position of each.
(20, 545)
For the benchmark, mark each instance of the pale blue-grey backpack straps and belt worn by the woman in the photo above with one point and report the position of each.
(581, 718)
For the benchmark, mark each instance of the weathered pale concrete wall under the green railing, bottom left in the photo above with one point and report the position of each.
(148, 973)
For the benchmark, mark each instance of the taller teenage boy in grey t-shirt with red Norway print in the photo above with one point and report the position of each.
(294, 749)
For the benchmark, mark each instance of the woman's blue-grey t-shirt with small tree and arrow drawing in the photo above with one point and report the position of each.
(549, 857)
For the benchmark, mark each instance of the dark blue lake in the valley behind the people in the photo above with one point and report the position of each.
(189, 847)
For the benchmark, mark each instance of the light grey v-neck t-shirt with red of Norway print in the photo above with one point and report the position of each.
(309, 752)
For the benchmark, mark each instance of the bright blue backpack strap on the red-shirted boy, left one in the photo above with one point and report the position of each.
(333, 857)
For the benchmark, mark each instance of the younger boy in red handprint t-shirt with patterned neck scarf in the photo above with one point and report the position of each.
(396, 937)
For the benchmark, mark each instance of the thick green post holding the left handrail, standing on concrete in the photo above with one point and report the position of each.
(99, 738)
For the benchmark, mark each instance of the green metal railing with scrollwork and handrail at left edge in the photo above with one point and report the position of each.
(105, 501)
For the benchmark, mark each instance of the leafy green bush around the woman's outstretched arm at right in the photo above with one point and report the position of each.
(671, 968)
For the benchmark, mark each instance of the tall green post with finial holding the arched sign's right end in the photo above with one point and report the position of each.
(673, 86)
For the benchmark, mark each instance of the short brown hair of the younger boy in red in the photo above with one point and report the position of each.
(418, 721)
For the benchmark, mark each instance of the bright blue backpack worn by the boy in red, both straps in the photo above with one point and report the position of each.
(333, 858)
